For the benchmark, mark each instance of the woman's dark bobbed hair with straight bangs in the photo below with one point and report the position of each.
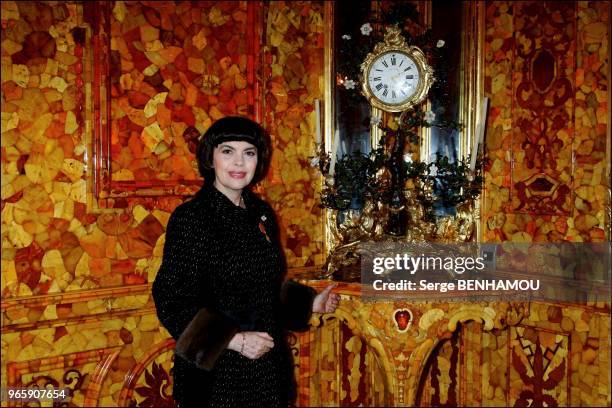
(230, 129)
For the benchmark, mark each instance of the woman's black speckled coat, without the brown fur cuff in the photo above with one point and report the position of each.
(227, 260)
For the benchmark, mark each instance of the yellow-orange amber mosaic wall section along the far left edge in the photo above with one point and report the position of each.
(43, 150)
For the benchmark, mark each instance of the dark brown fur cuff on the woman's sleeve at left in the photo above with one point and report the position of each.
(205, 338)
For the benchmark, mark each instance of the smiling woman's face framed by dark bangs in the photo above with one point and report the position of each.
(234, 164)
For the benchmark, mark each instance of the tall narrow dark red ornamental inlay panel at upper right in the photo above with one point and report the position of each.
(544, 92)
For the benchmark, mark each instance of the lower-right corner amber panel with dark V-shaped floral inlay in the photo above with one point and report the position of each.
(559, 354)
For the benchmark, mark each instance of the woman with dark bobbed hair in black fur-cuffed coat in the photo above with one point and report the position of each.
(219, 290)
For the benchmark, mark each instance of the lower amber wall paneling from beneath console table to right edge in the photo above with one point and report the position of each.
(545, 358)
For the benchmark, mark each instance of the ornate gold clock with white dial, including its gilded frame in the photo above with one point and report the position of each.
(396, 76)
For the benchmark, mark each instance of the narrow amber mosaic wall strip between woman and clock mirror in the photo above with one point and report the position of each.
(293, 69)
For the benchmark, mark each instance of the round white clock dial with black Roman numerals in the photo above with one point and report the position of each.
(393, 78)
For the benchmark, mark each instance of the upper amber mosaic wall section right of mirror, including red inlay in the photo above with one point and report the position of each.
(546, 71)
